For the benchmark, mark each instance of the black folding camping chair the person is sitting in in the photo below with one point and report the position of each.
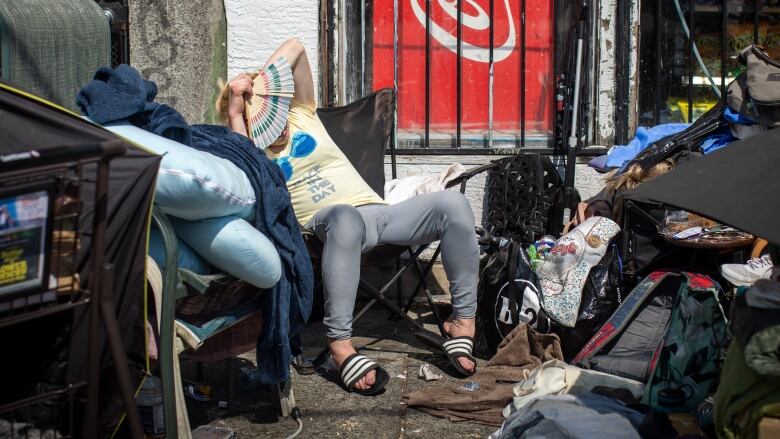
(371, 120)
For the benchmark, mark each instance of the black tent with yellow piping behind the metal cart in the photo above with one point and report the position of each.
(47, 352)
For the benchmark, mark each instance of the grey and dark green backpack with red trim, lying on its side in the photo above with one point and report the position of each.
(670, 333)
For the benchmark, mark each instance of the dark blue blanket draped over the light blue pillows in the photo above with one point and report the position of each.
(121, 94)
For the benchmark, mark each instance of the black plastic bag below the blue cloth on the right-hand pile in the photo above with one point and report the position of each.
(687, 140)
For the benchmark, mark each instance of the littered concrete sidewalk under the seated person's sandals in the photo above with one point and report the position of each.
(327, 410)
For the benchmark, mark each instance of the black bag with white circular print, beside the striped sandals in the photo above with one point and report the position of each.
(508, 294)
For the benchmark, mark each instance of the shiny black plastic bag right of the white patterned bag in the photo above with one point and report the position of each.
(602, 294)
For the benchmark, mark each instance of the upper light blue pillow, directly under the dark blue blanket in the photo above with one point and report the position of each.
(193, 184)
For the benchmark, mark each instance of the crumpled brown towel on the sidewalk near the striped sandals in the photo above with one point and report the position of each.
(522, 349)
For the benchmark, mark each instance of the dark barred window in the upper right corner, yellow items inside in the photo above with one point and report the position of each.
(673, 85)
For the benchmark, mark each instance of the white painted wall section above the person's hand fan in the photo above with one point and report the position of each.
(257, 27)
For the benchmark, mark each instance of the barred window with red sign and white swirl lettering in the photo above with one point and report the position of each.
(473, 76)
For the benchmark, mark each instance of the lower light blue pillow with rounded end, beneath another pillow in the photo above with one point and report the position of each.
(232, 245)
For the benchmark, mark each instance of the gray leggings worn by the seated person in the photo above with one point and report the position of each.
(348, 231)
